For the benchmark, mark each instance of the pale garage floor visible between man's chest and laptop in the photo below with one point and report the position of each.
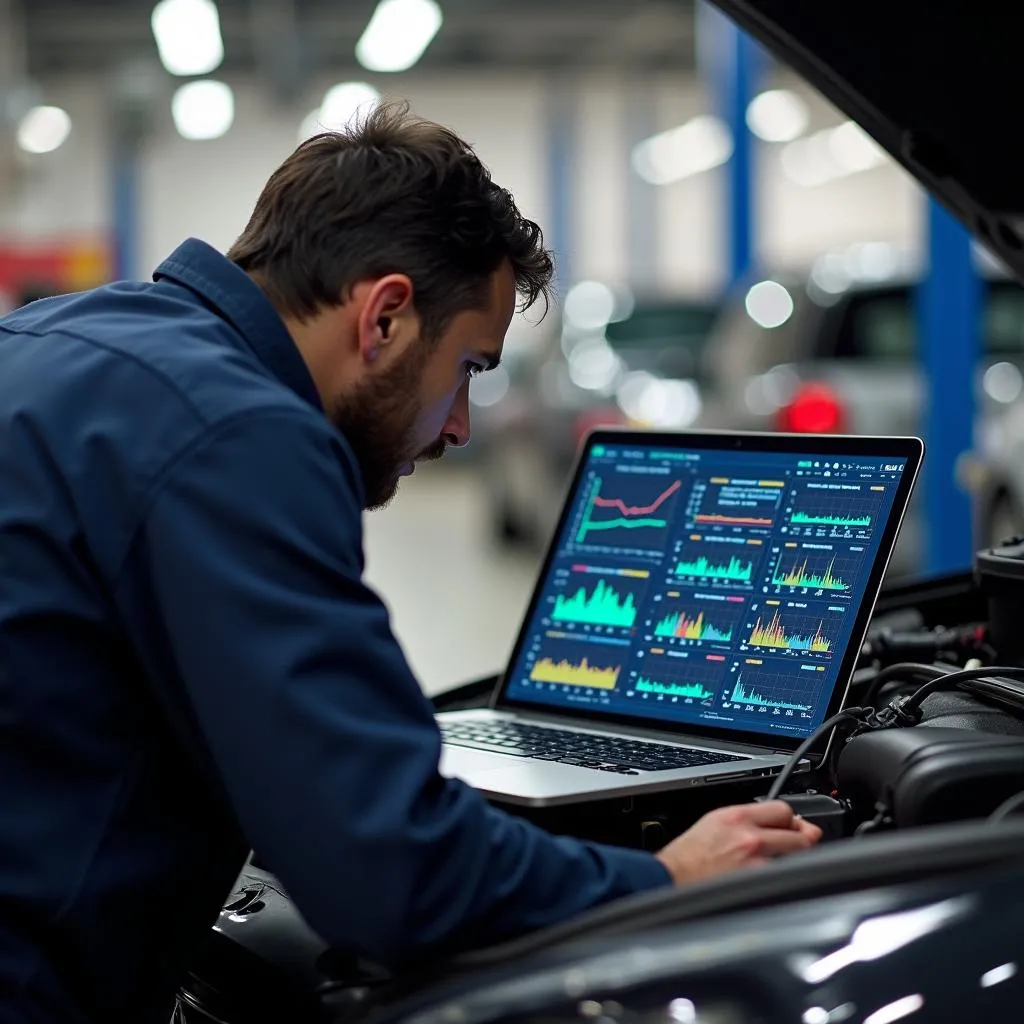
(455, 601)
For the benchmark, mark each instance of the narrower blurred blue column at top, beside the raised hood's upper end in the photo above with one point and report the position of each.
(732, 64)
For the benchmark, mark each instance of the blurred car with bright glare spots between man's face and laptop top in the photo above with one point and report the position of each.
(608, 359)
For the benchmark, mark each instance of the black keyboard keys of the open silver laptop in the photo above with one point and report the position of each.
(614, 754)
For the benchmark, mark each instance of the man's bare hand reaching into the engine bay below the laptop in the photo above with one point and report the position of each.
(737, 837)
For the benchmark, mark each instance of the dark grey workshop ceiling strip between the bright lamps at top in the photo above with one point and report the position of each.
(289, 38)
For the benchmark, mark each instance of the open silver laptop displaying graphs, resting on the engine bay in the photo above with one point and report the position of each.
(699, 614)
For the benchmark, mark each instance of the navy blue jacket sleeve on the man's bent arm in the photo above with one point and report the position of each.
(322, 737)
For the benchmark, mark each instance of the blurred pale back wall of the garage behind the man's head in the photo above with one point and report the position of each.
(208, 189)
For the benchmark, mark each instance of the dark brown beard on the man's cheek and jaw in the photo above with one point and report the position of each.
(378, 419)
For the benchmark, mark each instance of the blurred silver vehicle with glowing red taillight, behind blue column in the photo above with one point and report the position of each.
(837, 352)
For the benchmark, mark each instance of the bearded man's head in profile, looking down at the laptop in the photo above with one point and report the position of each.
(396, 262)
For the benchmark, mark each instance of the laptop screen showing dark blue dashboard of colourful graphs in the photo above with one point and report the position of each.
(711, 587)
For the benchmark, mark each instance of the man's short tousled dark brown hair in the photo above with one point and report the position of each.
(390, 194)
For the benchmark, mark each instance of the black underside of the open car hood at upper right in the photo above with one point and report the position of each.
(938, 87)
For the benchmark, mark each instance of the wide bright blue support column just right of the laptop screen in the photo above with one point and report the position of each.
(950, 320)
